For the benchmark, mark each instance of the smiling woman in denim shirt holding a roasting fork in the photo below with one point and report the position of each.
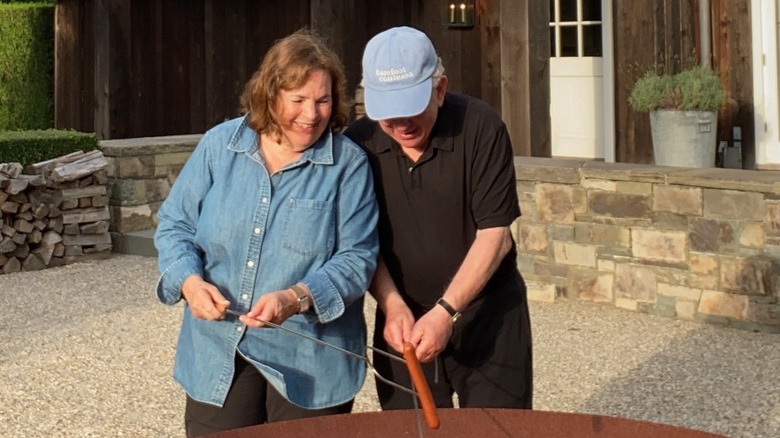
(273, 217)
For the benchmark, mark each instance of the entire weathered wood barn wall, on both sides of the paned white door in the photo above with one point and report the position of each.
(137, 68)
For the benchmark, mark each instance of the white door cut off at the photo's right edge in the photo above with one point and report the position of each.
(766, 89)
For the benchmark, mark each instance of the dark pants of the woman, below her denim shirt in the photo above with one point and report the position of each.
(250, 401)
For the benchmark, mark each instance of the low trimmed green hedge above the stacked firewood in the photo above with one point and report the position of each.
(29, 147)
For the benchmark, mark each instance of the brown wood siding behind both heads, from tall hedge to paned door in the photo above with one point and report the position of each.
(136, 68)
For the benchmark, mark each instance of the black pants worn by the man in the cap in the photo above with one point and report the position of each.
(488, 361)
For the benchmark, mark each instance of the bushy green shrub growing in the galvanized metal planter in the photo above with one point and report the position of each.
(696, 88)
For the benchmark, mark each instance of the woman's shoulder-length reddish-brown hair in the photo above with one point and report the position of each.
(286, 66)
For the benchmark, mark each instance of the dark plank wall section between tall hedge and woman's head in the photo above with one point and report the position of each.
(146, 68)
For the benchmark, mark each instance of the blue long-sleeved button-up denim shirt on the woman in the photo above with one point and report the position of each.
(250, 233)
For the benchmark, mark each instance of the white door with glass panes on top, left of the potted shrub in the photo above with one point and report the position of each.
(581, 90)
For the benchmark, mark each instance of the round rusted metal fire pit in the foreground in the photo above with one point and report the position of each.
(480, 423)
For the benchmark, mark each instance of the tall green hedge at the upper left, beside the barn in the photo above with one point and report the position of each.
(26, 66)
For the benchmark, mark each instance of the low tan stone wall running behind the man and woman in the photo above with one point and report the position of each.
(696, 244)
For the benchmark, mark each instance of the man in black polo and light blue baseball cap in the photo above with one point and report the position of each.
(447, 280)
